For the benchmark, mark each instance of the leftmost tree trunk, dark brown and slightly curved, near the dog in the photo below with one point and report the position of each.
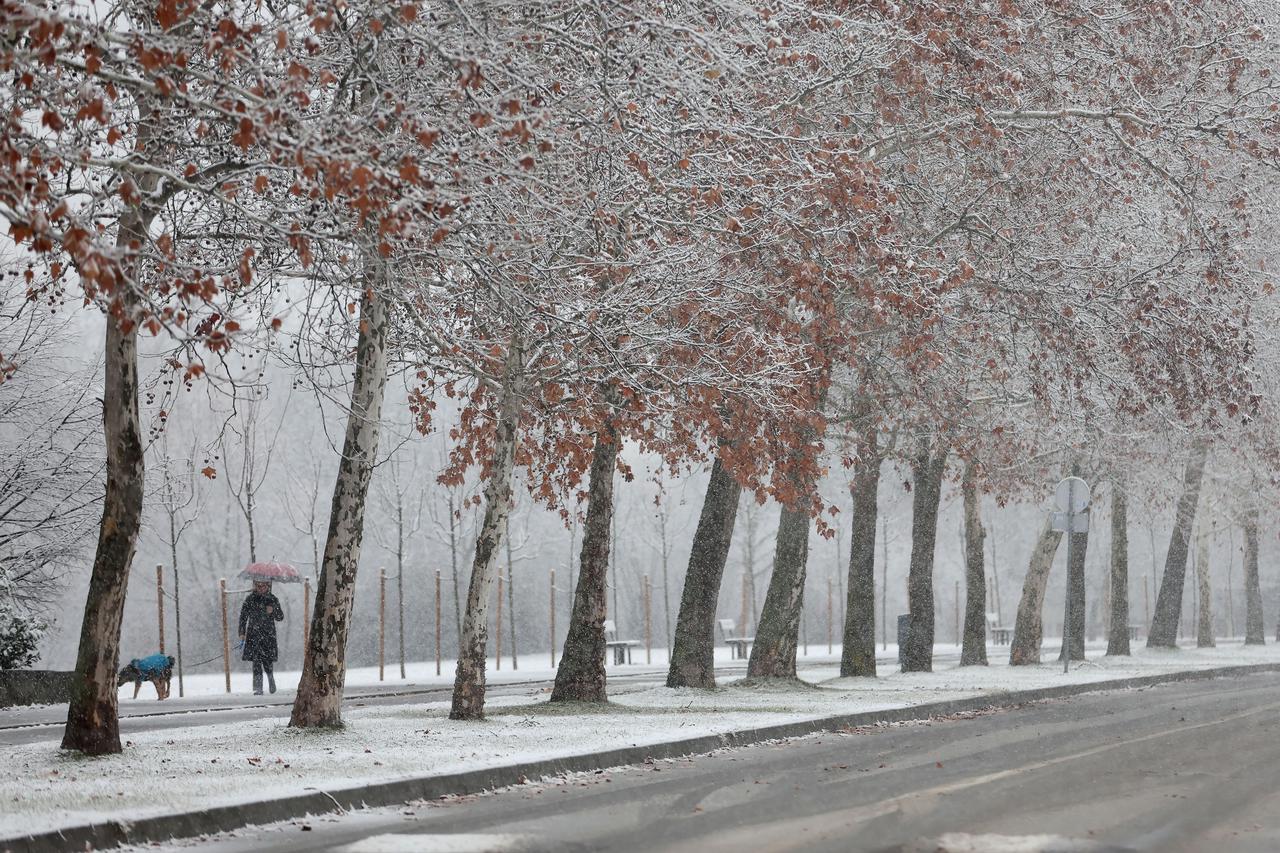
(93, 726)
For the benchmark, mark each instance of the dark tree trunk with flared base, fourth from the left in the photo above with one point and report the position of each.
(580, 676)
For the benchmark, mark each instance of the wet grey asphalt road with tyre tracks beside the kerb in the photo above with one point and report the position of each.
(1177, 768)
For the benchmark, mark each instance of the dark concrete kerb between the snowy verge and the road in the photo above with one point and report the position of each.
(222, 819)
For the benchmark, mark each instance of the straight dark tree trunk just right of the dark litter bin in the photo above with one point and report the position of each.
(927, 491)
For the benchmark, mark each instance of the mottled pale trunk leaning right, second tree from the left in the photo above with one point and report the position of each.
(324, 663)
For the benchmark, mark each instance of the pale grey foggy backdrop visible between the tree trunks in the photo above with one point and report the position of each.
(276, 436)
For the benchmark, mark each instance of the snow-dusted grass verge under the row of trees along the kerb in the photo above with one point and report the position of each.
(212, 765)
